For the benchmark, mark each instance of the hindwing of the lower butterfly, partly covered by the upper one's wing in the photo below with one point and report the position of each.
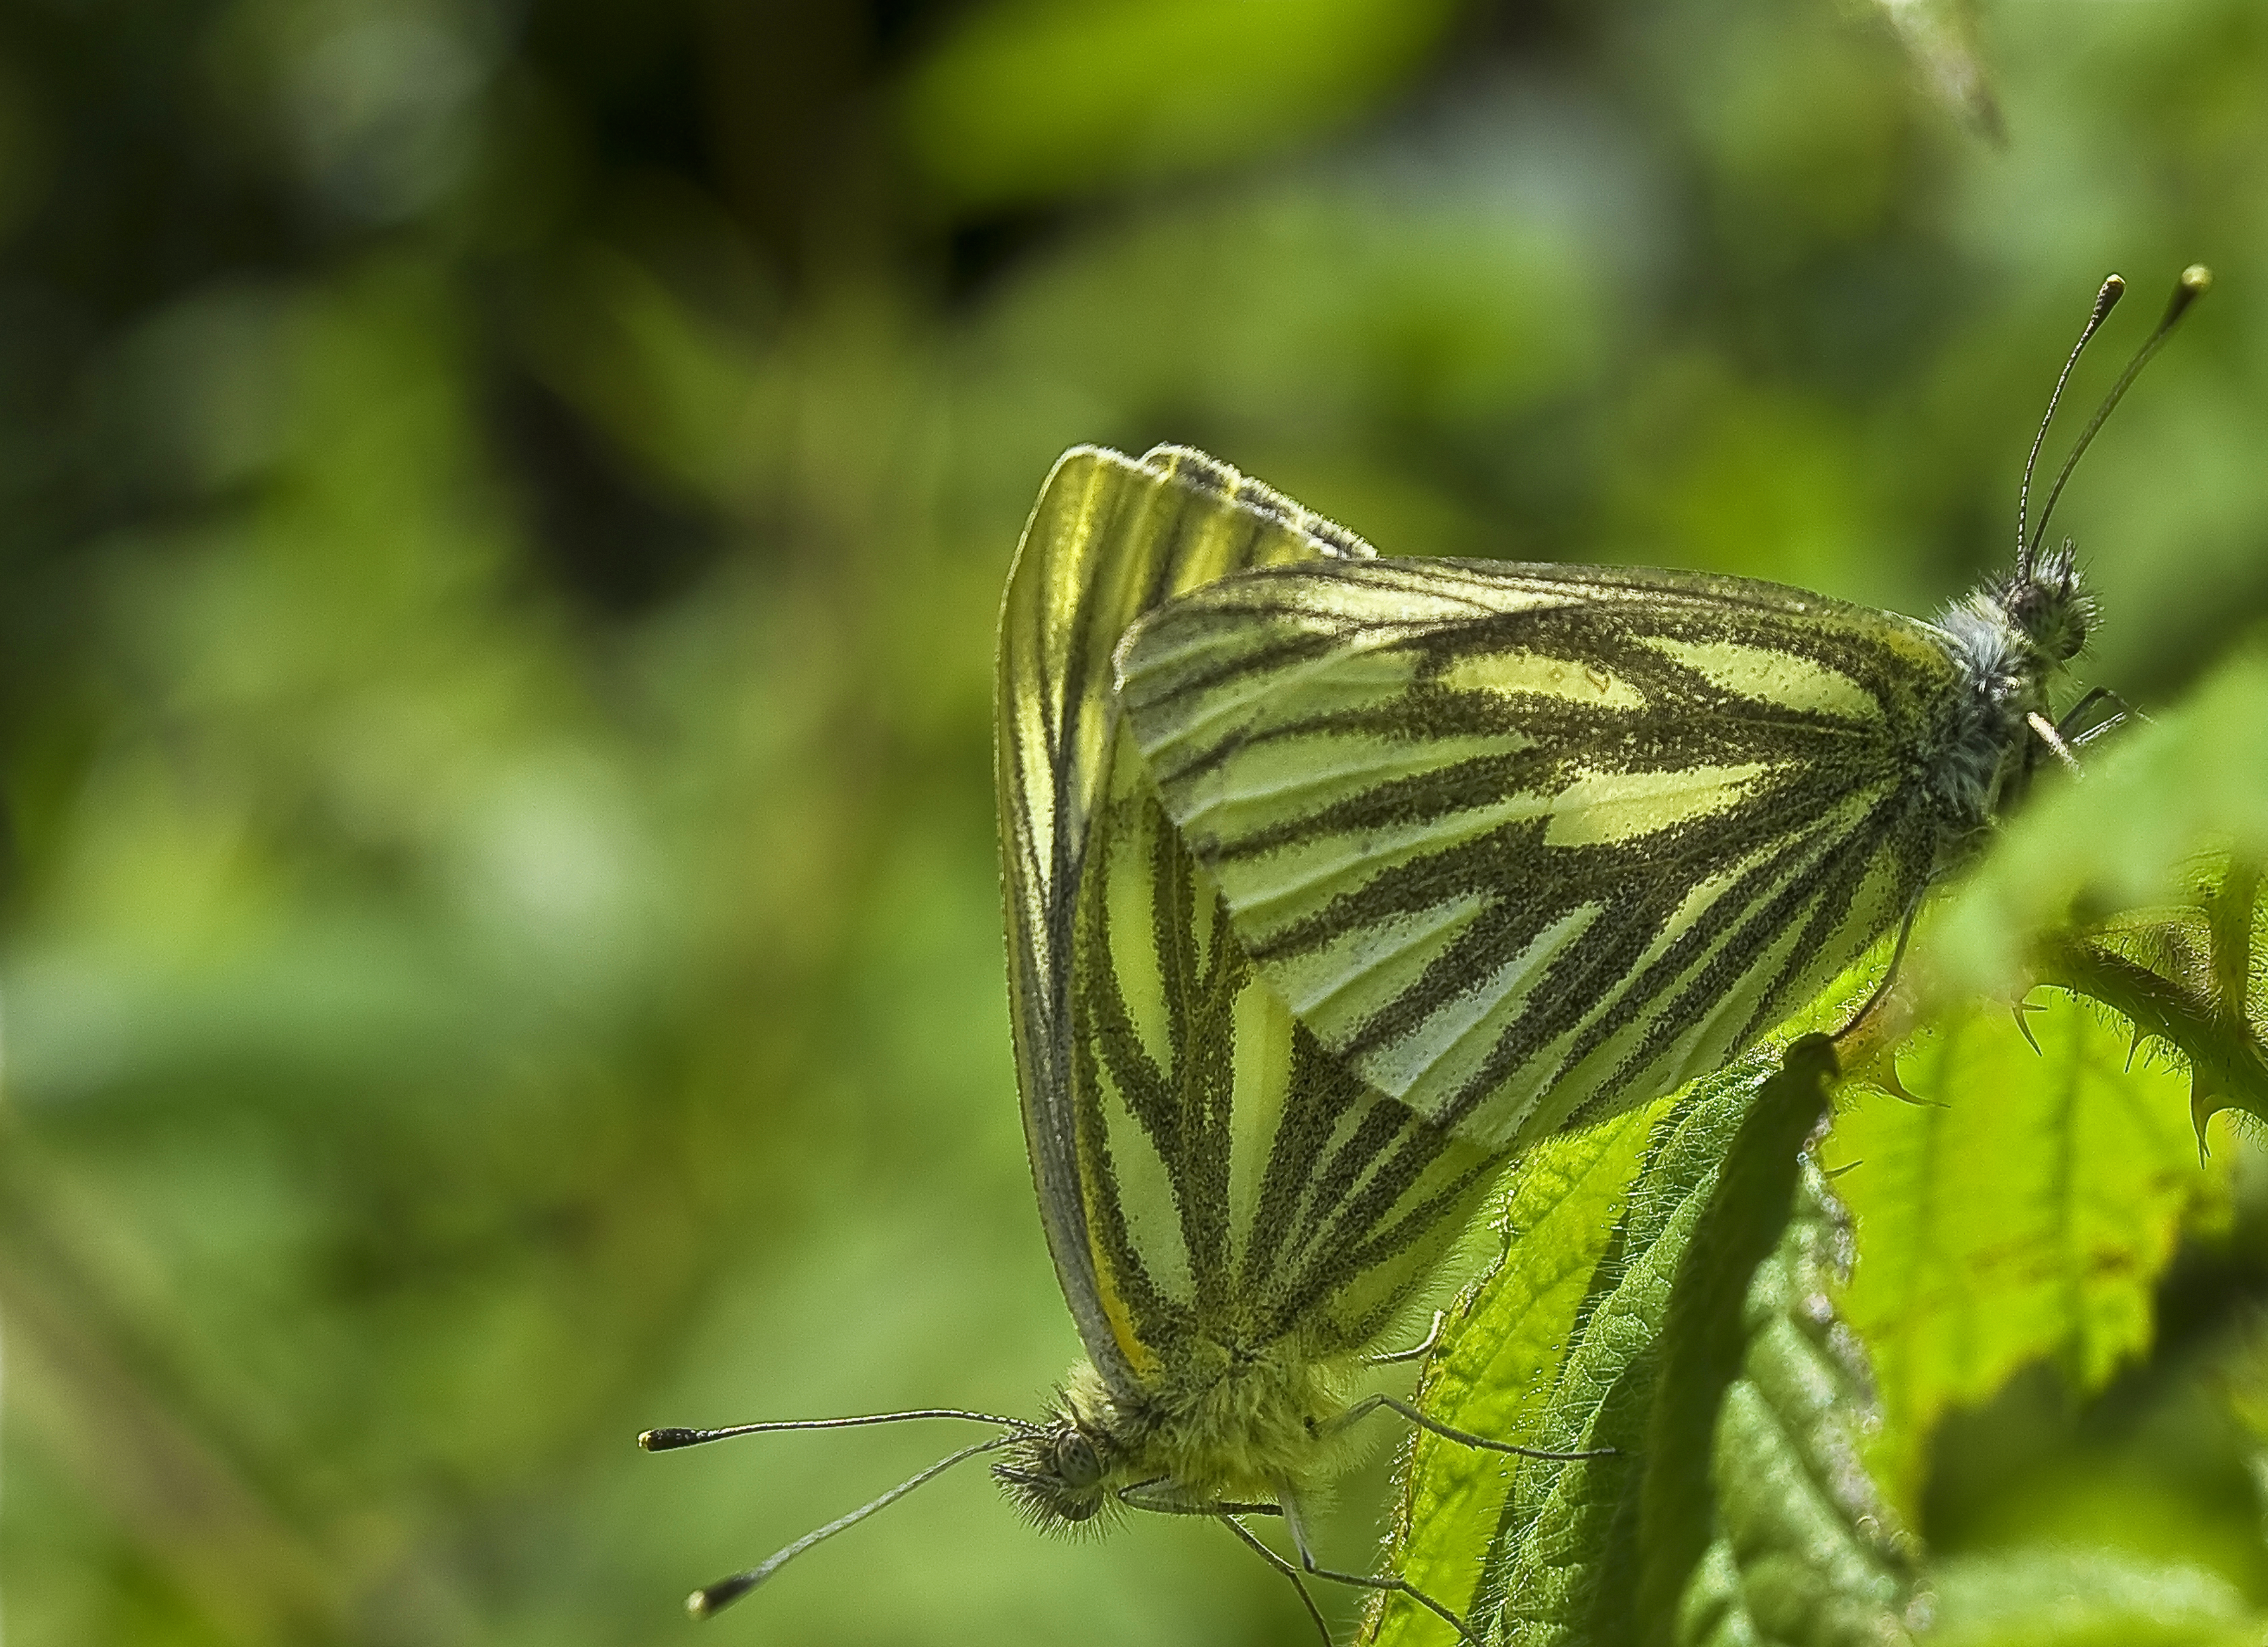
(1239, 1185)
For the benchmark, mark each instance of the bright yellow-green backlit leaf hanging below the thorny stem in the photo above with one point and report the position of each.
(2020, 1210)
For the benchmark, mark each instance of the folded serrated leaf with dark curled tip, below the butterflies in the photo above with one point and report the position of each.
(1698, 1344)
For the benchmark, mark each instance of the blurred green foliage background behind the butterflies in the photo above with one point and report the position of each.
(502, 509)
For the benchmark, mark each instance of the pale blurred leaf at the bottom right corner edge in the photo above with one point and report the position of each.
(2085, 1598)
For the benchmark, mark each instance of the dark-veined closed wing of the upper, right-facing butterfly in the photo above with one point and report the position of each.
(1532, 843)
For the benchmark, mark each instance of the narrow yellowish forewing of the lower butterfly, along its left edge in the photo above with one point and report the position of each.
(1108, 541)
